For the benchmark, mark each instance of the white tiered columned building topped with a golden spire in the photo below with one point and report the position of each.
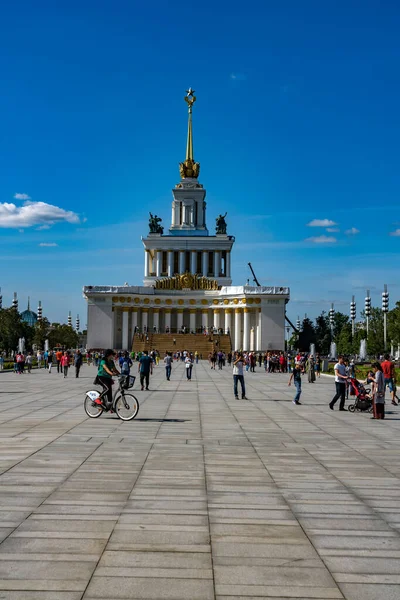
(187, 282)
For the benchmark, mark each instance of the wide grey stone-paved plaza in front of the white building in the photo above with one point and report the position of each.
(201, 497)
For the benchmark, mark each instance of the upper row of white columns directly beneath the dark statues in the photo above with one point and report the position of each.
(216, 263)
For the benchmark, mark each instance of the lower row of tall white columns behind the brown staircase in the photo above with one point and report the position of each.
(243, 324)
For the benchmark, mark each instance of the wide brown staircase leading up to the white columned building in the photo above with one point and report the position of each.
(164, 342)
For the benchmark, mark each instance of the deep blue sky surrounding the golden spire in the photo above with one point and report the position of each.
(297, 121)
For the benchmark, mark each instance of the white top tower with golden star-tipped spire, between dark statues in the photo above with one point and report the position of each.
(188, 205)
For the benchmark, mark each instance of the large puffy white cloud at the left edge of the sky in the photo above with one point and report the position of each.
(34, 213)
